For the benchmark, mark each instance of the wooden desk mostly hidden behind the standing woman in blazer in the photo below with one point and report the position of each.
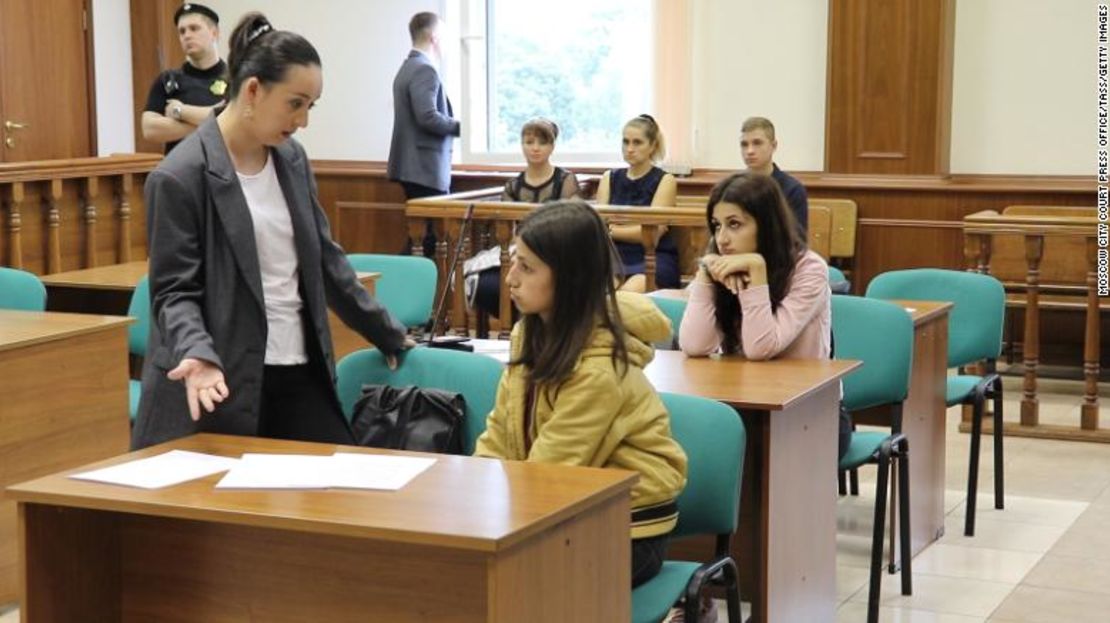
(108, 290)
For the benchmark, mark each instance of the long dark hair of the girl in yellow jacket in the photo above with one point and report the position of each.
(571, 238)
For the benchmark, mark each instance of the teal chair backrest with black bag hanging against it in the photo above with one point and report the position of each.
(471, 375)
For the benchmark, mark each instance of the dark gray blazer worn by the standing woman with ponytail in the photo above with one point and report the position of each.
(207, 286)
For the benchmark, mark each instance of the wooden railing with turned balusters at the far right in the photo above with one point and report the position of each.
(1068, 282)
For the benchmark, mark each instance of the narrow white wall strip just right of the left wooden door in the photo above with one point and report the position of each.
(112, 45)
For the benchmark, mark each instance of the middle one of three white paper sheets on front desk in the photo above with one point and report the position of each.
(279, 471)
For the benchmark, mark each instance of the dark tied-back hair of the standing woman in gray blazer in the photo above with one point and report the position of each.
(258, 51)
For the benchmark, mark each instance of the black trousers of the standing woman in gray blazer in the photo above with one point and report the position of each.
(299, 405)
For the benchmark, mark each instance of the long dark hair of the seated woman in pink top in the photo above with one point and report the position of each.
(778, 240)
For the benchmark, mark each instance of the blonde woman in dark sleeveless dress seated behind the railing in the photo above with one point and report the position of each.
(642, 184)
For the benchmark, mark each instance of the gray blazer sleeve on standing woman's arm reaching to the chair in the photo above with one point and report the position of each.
(346, 295)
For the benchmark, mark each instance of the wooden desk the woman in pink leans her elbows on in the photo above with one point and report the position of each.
(786, 542)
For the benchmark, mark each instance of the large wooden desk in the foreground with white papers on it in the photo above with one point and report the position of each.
(468, 540)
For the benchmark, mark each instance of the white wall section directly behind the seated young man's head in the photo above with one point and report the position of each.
(766, 59)
